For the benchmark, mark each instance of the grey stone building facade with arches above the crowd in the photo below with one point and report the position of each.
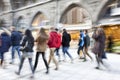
(25, 12)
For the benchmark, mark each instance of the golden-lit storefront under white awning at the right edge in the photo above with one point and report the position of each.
(112, 31)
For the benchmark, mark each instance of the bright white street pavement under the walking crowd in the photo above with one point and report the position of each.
(78, 70)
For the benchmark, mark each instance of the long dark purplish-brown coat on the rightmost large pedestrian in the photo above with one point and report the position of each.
(99, 44)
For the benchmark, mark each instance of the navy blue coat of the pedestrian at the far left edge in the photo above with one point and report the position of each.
(6, 42)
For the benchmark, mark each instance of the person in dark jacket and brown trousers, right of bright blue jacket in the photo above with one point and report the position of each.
(86, 44)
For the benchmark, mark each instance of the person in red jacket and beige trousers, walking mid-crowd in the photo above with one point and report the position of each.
(52, 43)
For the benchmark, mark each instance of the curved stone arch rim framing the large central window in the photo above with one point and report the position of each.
(71, 6)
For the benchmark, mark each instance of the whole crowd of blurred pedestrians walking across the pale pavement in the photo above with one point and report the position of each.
(23, 43)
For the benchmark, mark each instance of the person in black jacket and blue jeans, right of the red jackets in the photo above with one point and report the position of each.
(66, 38)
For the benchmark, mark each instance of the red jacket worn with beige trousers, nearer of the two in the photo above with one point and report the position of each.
(53, 40)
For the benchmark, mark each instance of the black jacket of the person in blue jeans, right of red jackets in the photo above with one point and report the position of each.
(66, 38)
